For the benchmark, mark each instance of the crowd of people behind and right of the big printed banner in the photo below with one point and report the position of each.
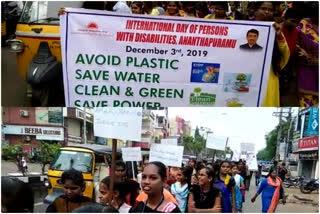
(294, 75)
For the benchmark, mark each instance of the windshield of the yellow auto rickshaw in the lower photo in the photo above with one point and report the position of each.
(81, 161)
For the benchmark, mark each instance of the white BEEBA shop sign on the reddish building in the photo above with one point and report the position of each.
(41, 132)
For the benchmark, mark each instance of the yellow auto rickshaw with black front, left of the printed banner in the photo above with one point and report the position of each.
(38, 49)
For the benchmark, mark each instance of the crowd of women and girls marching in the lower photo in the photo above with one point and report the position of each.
(218, 187)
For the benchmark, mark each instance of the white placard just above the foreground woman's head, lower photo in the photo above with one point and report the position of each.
(167, 154)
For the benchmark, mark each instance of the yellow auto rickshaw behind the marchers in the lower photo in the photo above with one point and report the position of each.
(91, 159)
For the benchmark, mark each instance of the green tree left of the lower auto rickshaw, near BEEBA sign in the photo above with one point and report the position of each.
(48, 152)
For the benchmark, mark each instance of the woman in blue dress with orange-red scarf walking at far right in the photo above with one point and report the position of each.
(272, 192)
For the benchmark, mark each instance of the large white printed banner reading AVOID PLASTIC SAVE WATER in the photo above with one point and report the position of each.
(111, 59)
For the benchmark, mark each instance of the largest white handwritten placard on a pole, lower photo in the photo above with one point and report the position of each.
(118, 123)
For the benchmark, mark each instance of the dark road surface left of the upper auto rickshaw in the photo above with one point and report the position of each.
(13, 87)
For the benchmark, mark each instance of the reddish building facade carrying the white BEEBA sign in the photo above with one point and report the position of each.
(27, 126)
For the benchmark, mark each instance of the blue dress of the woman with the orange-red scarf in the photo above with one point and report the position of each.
(267, 194)
